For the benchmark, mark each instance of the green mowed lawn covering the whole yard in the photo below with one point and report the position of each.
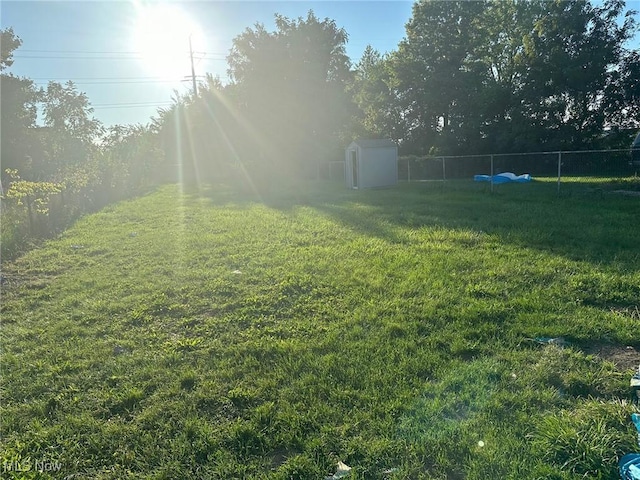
(209, 334)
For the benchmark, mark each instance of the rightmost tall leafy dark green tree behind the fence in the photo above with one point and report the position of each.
(570, 53)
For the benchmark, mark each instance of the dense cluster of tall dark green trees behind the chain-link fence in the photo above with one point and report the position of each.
(513, 75)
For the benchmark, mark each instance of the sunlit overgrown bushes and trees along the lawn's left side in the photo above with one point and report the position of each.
(66, 163)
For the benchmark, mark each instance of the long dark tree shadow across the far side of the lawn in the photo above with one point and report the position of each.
(582, 224)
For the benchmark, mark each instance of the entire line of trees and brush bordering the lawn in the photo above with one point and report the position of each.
(468, 77)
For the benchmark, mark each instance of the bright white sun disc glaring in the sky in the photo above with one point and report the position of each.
(162, 34)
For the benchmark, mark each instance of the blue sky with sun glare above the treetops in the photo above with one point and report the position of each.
(97, 45)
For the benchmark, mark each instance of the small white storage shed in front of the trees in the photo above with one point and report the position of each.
(371, 163)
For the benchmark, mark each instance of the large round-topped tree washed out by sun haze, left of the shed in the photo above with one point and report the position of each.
(290, 85)
